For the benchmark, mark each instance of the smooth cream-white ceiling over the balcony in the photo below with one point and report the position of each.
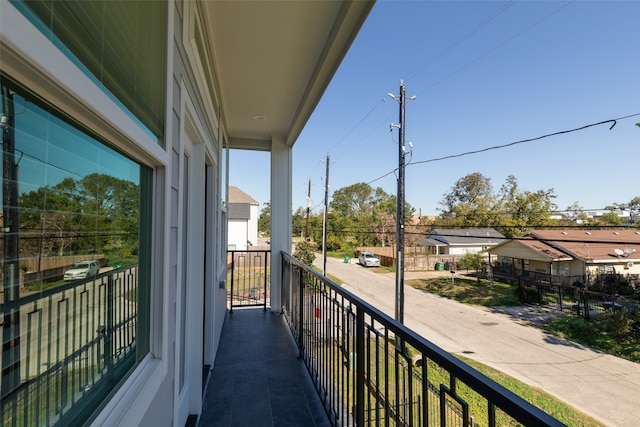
(273, 61)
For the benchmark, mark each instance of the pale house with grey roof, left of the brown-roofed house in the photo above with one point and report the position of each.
(460, 241)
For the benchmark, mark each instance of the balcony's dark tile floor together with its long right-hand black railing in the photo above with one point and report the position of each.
(332, 359)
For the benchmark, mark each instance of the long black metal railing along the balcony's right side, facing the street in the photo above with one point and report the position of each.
(369, 369)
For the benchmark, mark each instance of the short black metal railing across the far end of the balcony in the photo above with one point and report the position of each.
(248, 278)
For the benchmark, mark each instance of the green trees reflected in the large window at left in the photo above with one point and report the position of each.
(96, 214)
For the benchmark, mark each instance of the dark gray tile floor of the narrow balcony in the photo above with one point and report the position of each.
(258, 378)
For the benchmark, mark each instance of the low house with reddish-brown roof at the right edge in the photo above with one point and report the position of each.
(570, 256)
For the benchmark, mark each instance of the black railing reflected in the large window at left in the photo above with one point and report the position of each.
(69, 345)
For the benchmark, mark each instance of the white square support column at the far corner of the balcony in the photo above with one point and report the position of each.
(281, 177)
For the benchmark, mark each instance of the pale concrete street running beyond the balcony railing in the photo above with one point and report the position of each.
(602, 386)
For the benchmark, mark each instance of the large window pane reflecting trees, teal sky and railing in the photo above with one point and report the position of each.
(71, 267)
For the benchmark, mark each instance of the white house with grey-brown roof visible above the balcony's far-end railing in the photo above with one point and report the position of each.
(243, 220)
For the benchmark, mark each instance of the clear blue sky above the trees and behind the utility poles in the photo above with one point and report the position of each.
(485, 74)
